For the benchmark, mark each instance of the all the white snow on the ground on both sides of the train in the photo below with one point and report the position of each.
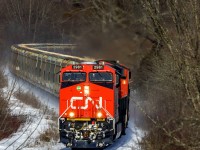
(37, 122)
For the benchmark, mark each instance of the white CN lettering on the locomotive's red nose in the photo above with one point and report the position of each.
(73, 99)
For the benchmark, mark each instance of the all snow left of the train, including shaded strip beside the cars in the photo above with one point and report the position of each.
(36, 123)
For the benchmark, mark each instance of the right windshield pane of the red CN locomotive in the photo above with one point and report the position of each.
(100, 76)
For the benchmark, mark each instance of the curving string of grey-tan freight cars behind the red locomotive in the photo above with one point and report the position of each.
(40, 63)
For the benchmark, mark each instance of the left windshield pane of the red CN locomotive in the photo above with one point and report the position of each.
(74, 76)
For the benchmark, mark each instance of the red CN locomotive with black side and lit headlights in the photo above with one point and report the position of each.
(94, 103)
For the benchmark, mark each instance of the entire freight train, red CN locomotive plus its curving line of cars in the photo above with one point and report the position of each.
(93, 95)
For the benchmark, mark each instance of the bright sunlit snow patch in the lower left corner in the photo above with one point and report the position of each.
(34, 125)
